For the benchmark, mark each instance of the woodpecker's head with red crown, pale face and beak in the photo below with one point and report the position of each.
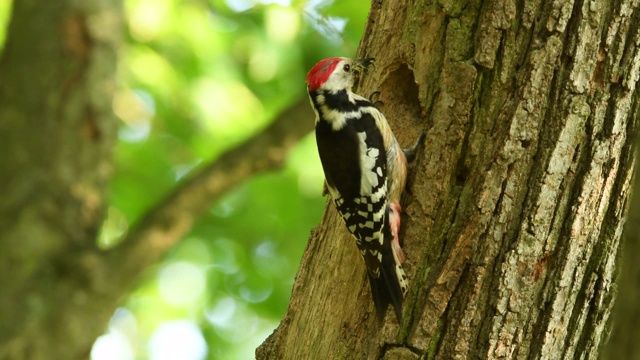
(335, 74)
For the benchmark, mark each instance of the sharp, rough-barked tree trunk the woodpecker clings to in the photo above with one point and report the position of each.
(514, 214)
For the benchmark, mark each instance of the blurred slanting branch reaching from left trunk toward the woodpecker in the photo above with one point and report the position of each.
(163, 226)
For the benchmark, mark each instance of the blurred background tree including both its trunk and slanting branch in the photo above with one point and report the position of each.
(57, 131)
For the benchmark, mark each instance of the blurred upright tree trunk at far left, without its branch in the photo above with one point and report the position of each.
(57, 77)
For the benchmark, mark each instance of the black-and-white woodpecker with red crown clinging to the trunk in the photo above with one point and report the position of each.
(365, 171)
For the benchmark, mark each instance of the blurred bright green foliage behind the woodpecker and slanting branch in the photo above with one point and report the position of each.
(196, 78)
